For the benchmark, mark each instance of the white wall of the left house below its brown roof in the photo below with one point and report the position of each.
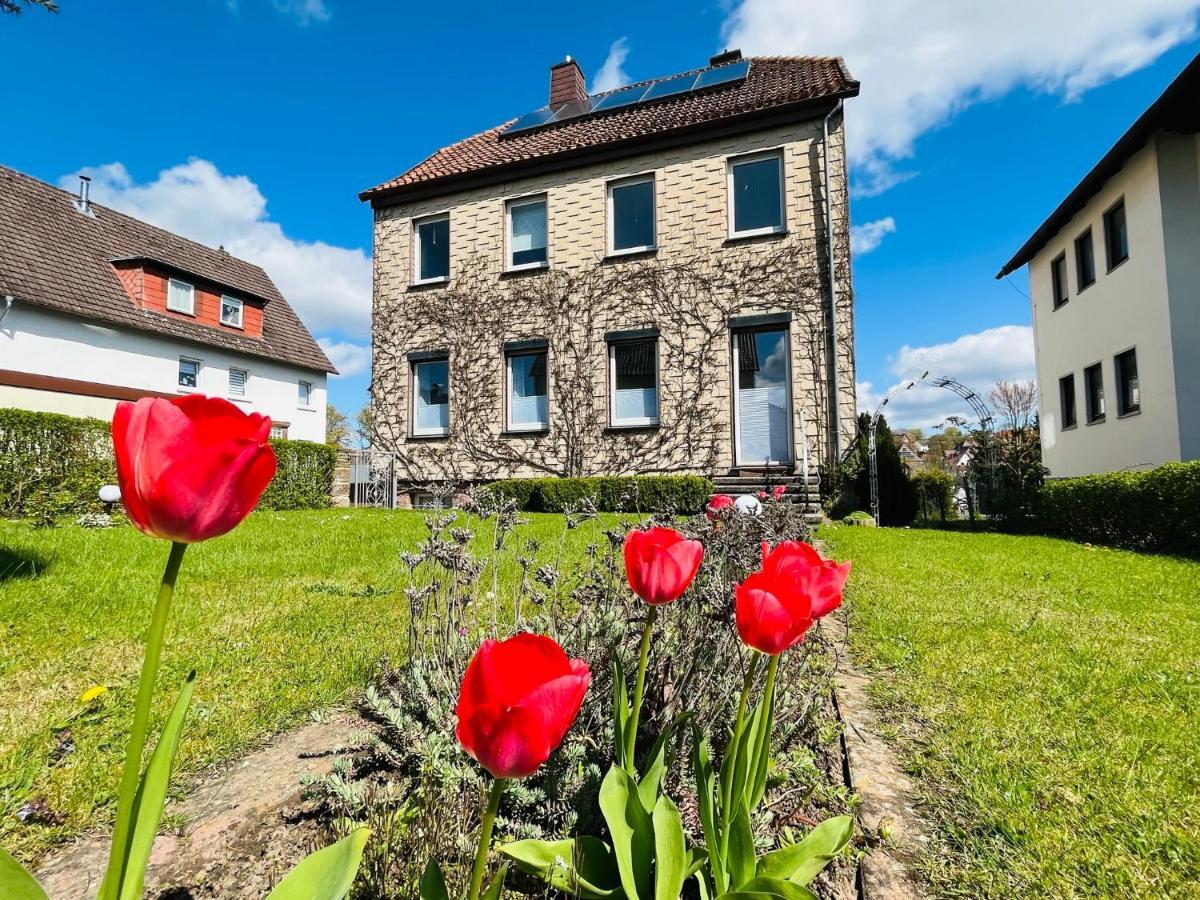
(40, 343)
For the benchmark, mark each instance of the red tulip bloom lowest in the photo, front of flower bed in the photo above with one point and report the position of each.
(518, 700)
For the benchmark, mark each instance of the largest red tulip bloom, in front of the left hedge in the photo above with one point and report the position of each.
(190, 469)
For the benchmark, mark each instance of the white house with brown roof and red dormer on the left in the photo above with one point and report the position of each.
(97, 308)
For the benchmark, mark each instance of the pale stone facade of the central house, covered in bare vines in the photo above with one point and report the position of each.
(697, 287)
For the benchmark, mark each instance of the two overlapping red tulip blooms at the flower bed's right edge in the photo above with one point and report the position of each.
(777, 605)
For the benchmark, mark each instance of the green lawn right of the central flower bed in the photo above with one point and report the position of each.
(1047, 695)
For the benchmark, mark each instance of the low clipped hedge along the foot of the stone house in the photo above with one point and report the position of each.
(682, 495)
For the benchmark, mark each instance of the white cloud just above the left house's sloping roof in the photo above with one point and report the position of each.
(327, 285)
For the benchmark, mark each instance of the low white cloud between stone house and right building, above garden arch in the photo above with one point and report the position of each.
(976, 361)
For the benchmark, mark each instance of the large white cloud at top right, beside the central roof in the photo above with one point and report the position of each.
(922, 63)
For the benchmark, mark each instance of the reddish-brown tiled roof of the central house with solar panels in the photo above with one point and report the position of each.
(772, 83)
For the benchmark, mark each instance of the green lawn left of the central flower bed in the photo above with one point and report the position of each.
(287, 615)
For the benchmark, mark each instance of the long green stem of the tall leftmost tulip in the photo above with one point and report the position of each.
(133, 772)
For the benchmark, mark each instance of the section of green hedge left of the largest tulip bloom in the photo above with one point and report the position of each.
(51, 465)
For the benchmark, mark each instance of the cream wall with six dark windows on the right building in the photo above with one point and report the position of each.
(1126, 308)
